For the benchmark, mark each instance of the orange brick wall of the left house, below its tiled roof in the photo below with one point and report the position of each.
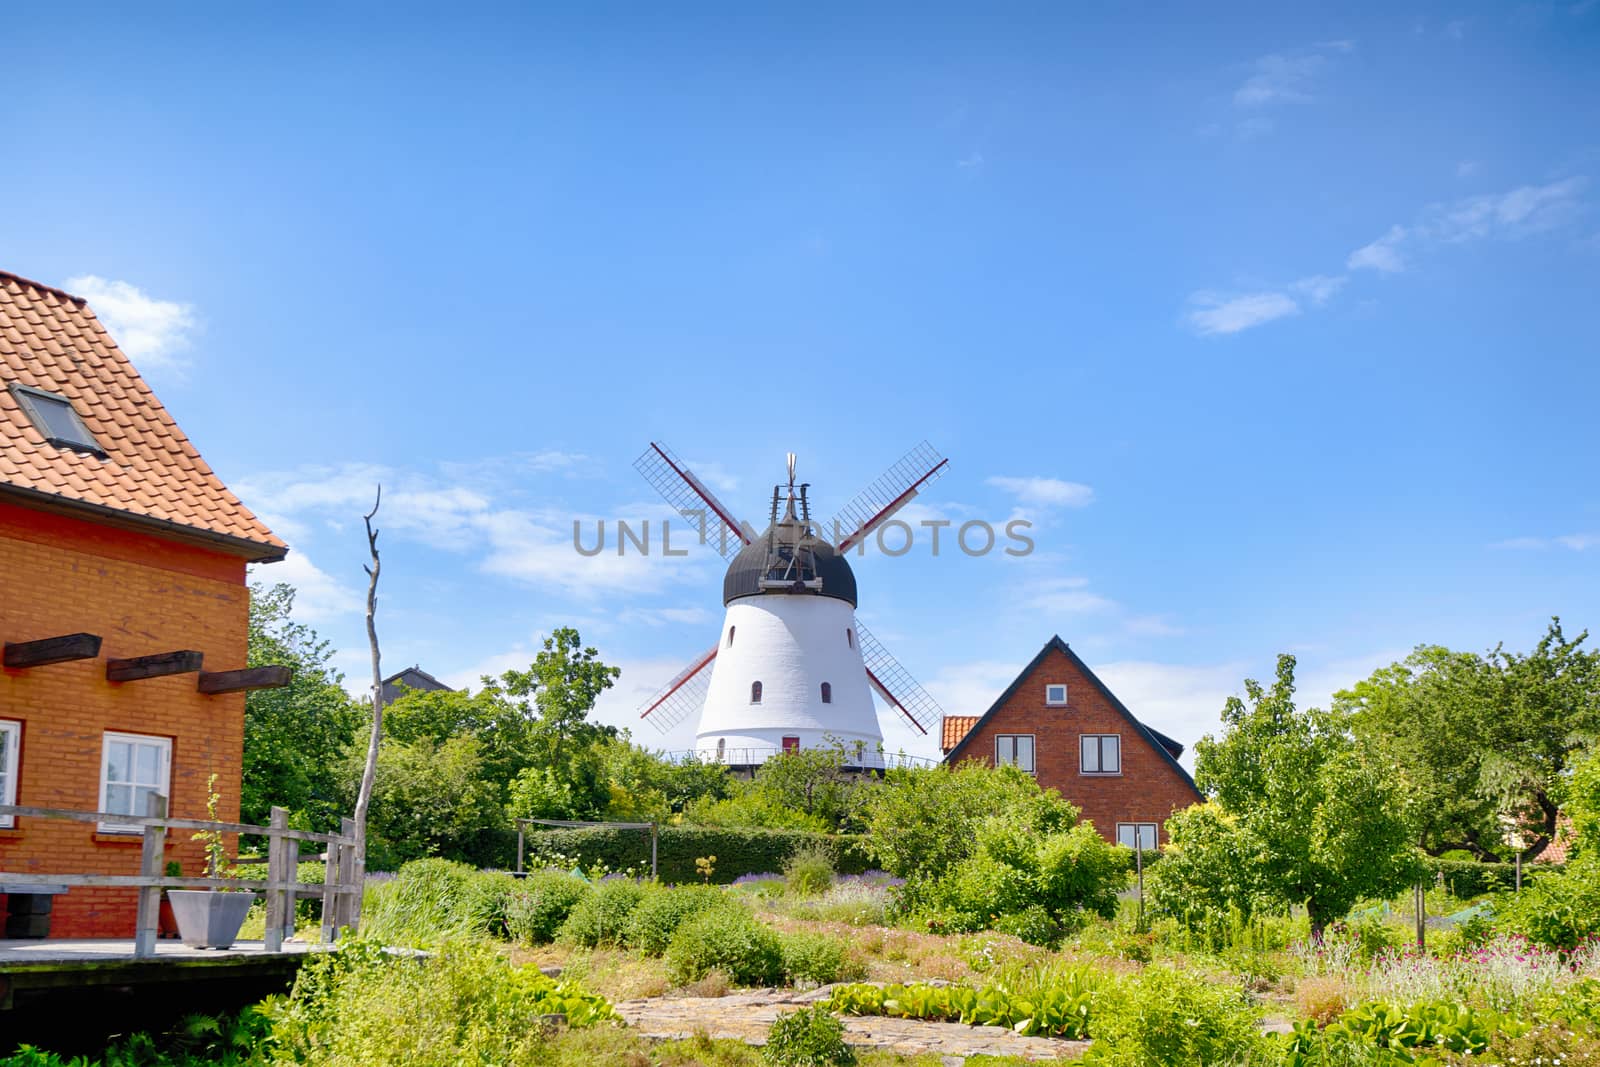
(142, 596)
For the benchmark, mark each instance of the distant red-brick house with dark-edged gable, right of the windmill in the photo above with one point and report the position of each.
(1062, 724)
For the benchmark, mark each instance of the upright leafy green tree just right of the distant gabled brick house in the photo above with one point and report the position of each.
(1324, 823)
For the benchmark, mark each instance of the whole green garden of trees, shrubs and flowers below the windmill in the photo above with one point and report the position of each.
(1278, 927)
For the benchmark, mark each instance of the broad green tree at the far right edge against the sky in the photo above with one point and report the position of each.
(1484, 743)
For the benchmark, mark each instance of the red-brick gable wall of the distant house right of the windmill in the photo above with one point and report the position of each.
(1150, 788)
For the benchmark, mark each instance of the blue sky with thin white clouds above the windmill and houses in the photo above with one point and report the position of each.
(1279, 326)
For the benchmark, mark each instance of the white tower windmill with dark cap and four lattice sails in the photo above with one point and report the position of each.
(793, 666)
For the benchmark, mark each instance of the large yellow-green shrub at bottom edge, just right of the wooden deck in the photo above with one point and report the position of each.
(462, 1005)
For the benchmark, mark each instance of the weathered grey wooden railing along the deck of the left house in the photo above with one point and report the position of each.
(340, 890)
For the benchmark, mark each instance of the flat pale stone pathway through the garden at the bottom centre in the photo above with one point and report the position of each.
(745, 1017)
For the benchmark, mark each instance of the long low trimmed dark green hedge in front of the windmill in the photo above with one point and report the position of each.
(737, 852)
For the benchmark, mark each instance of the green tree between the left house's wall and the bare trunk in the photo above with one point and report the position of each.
(295, 737)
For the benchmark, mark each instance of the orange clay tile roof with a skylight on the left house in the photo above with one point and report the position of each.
(151, 474)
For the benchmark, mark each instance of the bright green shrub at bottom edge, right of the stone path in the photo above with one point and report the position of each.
(1167, 1018)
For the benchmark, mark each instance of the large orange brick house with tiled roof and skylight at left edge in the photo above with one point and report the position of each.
(124, 610)
